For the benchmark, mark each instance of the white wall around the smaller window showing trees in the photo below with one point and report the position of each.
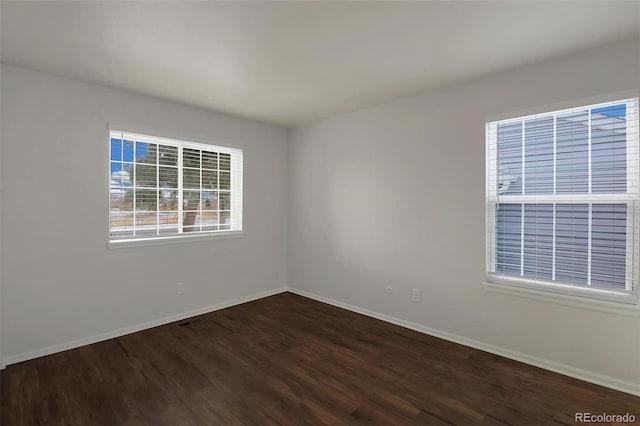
(60, 283)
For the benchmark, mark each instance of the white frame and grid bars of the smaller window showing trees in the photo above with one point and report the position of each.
(236, 172)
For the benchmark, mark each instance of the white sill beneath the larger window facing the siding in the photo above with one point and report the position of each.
(564, 299)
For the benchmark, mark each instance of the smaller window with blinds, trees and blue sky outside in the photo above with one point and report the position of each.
(163, 188)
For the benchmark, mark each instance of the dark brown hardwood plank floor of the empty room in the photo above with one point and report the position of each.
(286, 359)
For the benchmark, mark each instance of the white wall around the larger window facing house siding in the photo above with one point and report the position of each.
(394, 195)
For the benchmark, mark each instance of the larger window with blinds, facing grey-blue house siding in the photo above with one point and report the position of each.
(562, 201)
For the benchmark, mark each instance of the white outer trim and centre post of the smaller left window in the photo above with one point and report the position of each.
(236, 188)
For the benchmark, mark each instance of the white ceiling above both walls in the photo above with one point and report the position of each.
(289, 63)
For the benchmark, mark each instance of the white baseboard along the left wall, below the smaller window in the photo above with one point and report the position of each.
(25, 356)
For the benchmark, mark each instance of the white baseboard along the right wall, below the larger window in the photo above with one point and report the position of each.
(567, 370)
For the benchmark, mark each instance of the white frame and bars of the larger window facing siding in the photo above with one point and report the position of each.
(631, 197)
